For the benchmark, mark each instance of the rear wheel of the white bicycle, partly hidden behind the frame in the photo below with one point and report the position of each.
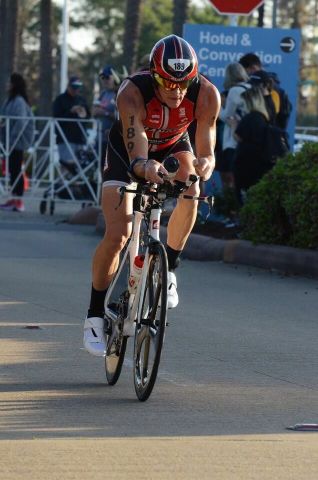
(116, 342)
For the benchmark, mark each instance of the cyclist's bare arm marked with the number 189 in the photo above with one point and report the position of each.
(131, 109)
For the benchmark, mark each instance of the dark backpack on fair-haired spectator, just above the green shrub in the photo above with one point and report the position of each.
(275, 143)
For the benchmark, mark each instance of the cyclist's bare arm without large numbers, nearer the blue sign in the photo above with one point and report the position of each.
(207, 111)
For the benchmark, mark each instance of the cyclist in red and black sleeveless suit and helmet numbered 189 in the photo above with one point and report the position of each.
(155, 108)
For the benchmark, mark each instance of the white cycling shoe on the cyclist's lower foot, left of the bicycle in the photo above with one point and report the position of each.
(94, 338)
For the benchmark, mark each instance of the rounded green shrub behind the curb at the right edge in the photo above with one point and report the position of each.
(282, 208)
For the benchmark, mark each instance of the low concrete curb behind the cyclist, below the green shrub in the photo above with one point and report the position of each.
(287, 260)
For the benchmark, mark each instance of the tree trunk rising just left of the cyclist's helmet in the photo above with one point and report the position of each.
(131, 36)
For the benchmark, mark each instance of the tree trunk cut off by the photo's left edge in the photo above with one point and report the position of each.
(8, 41)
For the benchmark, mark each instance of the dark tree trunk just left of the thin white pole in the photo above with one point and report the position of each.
(46, 71)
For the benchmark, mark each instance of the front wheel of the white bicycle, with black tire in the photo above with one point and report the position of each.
(151, 323)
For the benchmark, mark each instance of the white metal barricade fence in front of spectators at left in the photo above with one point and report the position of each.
(49, 178)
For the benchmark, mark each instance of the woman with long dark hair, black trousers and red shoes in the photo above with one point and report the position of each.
(21, 136)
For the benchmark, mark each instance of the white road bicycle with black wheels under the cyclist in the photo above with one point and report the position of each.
(142, 313)
